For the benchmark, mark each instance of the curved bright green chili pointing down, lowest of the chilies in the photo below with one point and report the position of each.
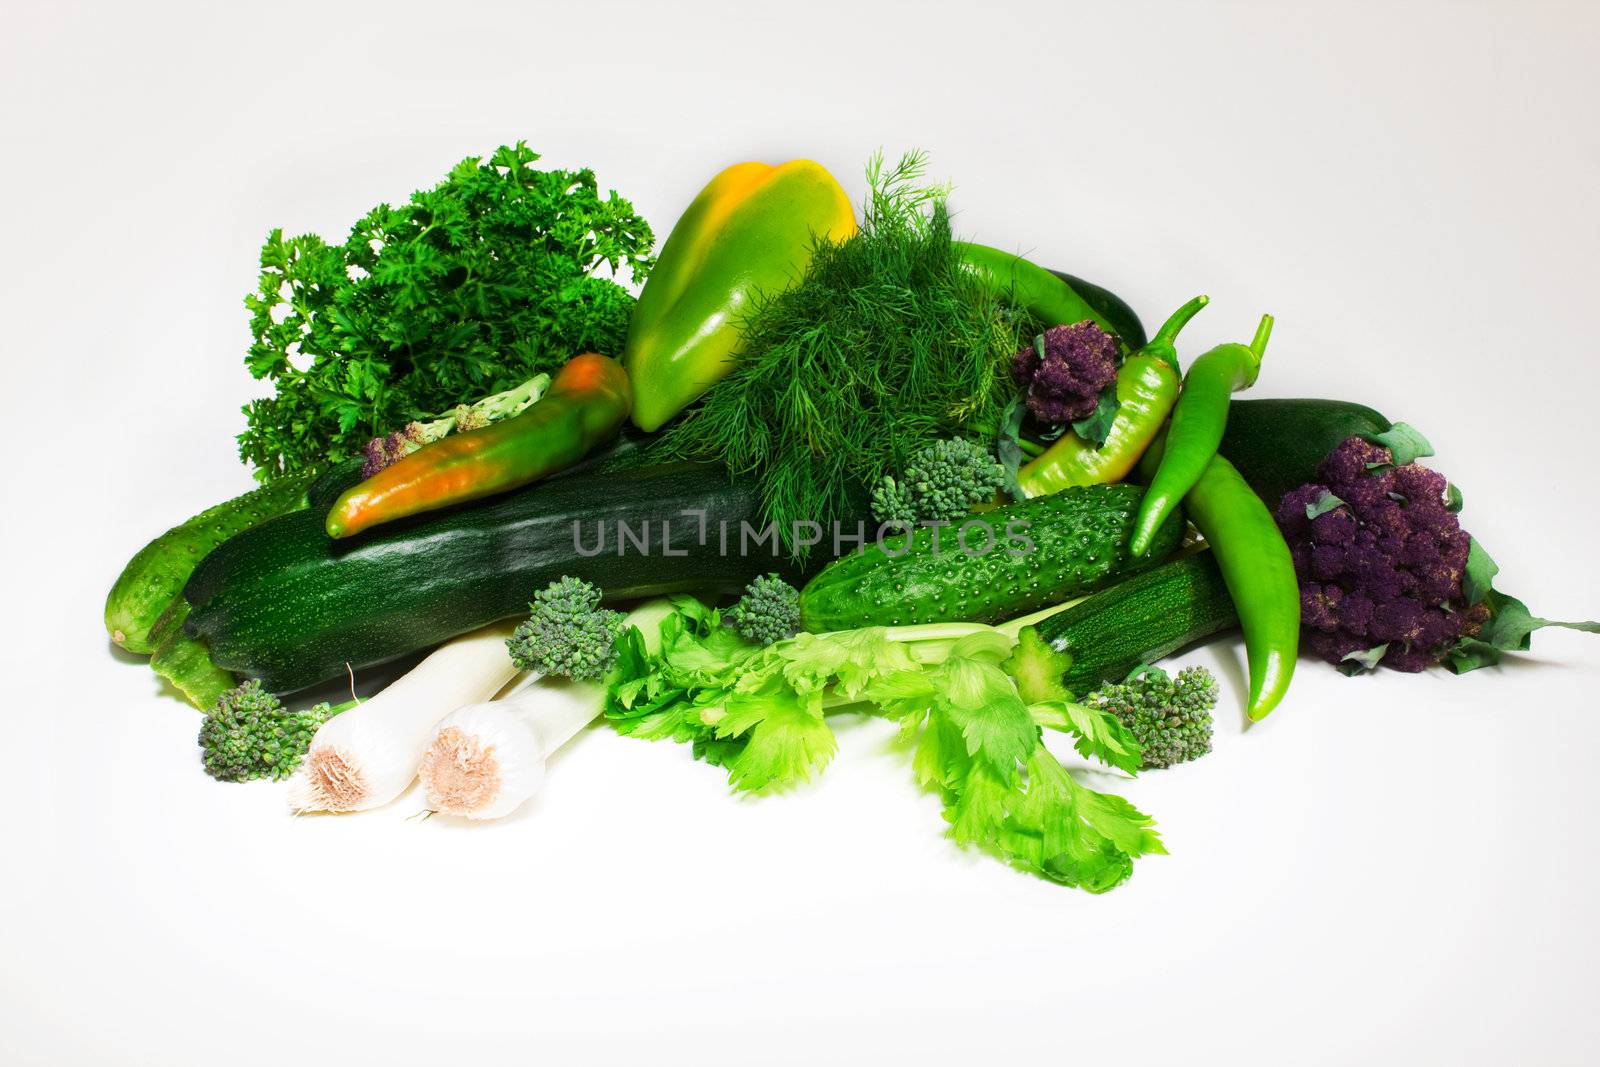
(1257, 569)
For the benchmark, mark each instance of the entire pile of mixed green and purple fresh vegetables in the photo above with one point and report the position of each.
(871, 470)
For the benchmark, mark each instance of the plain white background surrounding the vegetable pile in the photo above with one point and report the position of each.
(1393, 869)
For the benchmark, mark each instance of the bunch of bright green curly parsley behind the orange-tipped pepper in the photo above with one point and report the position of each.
(470, 289)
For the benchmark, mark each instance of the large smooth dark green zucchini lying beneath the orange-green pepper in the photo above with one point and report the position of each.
(289, 605)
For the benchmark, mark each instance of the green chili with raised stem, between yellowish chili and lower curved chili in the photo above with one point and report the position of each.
(1199, 420)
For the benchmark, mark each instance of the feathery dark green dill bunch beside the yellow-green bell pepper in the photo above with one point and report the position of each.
(886, 345)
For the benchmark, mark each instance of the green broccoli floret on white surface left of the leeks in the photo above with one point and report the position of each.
(250, 735)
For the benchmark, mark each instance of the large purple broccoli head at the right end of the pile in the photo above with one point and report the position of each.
(1383, 564)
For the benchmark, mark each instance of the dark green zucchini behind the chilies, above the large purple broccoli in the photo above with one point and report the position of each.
(1279, 444)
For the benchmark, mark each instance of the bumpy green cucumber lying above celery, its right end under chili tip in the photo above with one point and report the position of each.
(1081, 541)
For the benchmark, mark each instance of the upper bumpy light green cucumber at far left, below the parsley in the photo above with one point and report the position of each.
(158, 573)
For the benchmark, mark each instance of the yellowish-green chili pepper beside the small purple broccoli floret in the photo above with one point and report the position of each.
(1146, 391)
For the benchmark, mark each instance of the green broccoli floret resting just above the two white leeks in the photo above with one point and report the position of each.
(569, 634)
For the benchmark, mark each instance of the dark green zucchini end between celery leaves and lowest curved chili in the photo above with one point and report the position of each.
(1138, 621)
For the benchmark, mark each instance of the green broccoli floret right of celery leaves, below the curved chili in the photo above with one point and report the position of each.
(1169, 717)
